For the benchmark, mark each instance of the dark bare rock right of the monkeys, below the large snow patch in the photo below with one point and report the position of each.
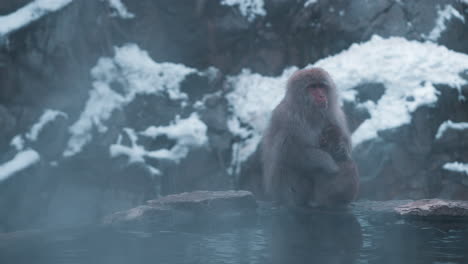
(406, 162)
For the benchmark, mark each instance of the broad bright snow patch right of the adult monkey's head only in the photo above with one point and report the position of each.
(406, 68)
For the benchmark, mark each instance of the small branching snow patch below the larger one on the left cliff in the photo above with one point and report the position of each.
(189, 132)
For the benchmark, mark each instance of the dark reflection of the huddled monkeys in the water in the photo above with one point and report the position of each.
(315, 237)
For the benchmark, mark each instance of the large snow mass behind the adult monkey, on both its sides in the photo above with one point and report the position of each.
(407, 69)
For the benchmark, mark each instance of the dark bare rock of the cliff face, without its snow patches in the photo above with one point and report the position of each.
(47, 65)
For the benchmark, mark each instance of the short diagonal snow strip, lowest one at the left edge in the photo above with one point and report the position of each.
(21, 161)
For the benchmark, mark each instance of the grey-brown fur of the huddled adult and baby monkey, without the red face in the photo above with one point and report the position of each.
(305, 149)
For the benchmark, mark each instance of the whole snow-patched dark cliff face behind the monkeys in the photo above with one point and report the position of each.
(104, 104)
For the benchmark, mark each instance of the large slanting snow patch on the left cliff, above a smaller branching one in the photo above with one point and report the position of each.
(136, 73)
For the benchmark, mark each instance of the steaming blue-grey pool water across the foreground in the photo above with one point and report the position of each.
(359, 236)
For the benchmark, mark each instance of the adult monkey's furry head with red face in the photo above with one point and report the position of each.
(312, 87)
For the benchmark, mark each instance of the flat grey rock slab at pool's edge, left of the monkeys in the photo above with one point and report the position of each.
(187, 208)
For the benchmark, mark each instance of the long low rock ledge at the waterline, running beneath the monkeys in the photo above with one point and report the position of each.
(201, 208)
